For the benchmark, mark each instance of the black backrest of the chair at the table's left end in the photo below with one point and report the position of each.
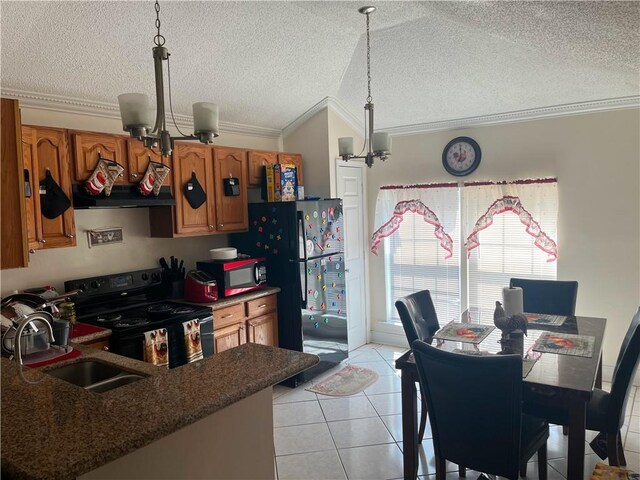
(418, 316)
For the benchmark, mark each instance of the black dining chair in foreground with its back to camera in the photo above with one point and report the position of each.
(475, 410)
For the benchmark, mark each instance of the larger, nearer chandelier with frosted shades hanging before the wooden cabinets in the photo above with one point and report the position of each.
(137, 114)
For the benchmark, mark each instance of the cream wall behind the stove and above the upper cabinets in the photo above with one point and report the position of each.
(139, 251)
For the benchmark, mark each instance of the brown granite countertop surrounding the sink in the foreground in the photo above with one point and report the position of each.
(55, 430)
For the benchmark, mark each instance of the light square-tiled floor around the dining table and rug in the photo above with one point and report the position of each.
(318, 437)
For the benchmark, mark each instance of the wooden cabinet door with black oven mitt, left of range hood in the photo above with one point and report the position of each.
(47, 149)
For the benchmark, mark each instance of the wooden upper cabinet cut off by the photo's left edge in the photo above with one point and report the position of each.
(13, 232)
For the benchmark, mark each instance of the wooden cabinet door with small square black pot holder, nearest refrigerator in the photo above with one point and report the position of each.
(231, 211)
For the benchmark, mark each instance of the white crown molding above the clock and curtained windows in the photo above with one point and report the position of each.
(519, 116)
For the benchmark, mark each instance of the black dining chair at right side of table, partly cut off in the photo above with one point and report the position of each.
(605, 410)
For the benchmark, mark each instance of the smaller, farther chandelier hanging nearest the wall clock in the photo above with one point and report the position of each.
(378, 144)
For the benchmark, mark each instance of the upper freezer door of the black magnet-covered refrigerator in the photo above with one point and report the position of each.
(320, 228)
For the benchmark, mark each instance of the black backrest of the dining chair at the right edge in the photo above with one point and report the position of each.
(623, 374)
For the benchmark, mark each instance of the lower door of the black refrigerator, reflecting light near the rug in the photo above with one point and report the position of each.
(324, 316)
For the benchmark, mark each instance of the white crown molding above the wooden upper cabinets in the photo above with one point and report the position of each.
(63, 104)
